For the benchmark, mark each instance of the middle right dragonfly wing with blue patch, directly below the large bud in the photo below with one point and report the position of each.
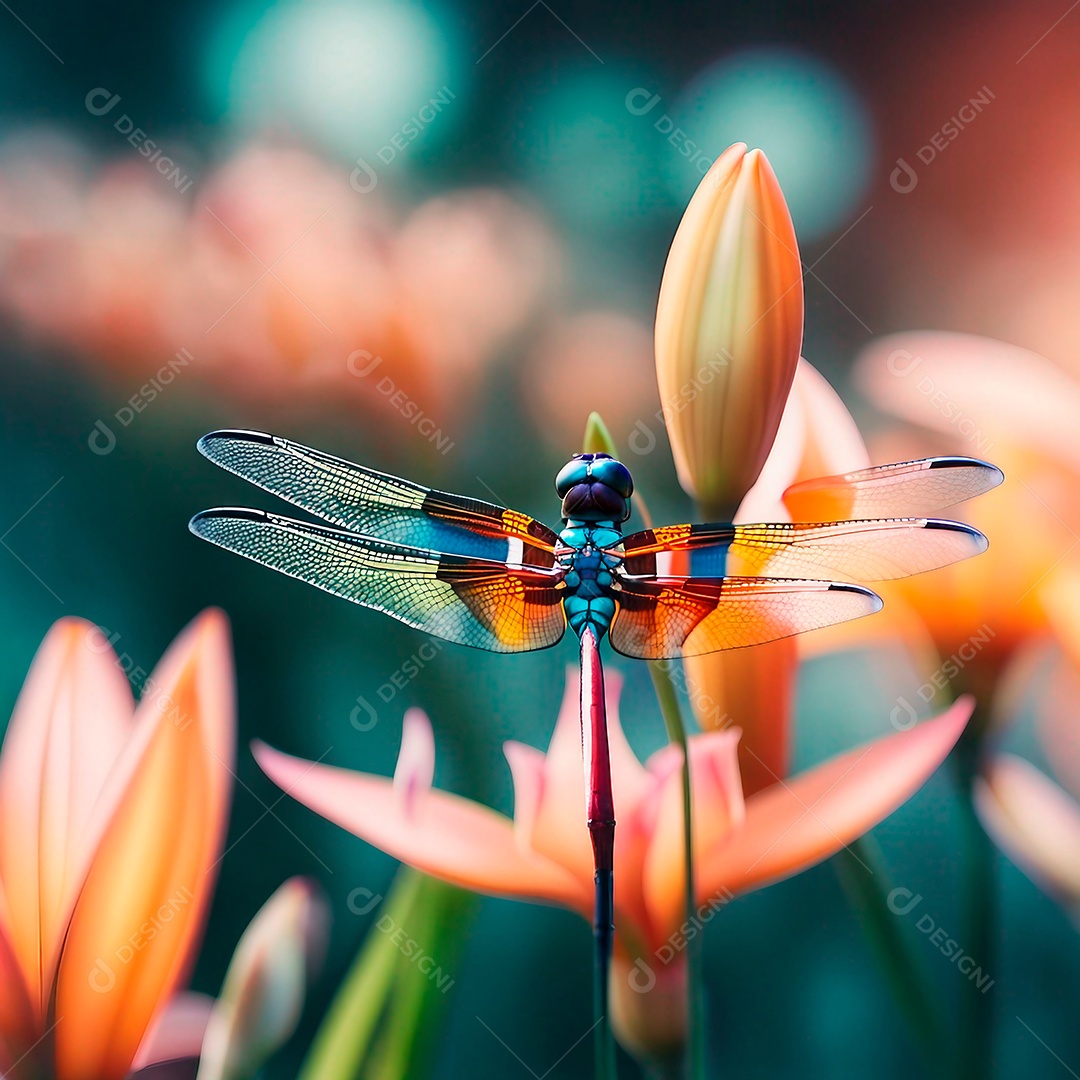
(856, 551)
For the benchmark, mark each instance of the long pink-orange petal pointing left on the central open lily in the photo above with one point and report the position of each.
(444, 835)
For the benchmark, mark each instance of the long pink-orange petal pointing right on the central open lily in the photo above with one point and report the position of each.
(799, 823)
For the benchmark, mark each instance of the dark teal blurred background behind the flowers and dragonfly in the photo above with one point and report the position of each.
(792, 988)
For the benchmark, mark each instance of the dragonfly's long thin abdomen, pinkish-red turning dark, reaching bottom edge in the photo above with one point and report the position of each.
(600, 806)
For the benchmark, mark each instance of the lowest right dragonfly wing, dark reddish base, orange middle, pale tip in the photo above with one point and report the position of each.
(666, 618)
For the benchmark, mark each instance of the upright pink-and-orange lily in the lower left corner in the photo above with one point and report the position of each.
(112, 823)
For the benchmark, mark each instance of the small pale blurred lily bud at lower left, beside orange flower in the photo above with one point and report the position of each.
(265, 987)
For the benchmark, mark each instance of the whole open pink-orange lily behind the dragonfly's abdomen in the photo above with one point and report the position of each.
(544, 853)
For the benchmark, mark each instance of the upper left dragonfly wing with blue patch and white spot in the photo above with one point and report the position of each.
(377, 505)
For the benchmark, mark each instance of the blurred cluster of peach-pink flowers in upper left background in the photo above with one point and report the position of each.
(277, 278)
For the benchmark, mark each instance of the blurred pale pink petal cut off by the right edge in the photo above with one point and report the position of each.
(1035, 823)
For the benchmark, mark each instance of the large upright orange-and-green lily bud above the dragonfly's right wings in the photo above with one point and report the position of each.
(730, 328)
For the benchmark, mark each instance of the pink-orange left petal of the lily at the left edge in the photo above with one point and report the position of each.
(73, 719)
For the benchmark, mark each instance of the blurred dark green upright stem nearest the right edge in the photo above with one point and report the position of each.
(980, 919)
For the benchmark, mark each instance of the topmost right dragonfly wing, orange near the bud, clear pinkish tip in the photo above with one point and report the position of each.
(904, 490)
